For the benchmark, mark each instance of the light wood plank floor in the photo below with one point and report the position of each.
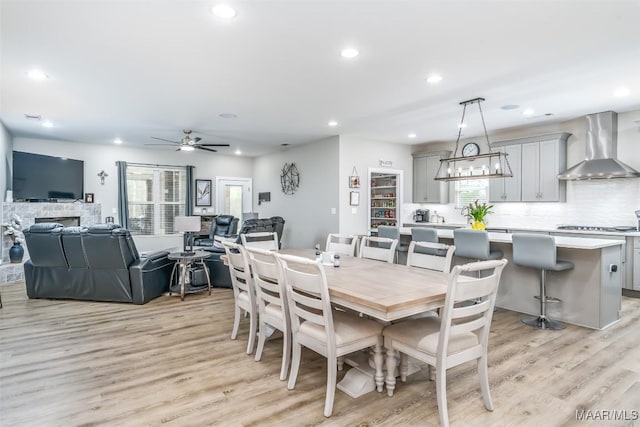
(70, 363)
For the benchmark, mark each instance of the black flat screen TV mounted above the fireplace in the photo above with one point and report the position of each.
(45, 178)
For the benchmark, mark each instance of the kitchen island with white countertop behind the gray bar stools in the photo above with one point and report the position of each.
(591, 292)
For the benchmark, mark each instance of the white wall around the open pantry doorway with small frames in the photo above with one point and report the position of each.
(365, 154)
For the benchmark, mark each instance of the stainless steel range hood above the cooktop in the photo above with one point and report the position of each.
(602, 147)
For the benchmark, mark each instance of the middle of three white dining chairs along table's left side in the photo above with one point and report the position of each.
(271, 297)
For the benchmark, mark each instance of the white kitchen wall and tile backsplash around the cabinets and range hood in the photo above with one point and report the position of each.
(608, 202)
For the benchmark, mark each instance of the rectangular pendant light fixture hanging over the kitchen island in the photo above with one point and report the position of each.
(469, 162)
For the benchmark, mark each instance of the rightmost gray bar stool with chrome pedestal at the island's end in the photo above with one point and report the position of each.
(539, 251)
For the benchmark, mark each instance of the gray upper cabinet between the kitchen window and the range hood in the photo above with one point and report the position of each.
(536, 163)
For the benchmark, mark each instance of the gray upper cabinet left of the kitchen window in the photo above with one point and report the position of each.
(425, 188)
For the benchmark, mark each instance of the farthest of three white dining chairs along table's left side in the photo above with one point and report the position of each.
(243, 290)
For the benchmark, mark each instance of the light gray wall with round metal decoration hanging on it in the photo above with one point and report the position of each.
(308, 211)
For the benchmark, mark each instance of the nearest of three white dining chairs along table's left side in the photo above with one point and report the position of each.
(315, 325)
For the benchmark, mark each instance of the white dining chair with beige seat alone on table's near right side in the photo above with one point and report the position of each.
(459, 335)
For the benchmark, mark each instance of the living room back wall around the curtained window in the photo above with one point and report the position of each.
(103, 157)
